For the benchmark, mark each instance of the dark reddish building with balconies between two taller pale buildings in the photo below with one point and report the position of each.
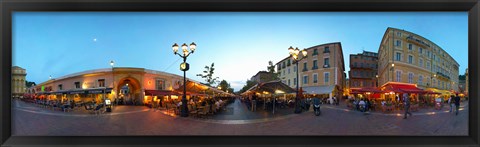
(363, 70)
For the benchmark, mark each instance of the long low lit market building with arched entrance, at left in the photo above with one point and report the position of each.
(121, 85)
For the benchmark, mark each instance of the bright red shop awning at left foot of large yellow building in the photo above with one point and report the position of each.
(401, 88)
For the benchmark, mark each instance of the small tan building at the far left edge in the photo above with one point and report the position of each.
(18, 81)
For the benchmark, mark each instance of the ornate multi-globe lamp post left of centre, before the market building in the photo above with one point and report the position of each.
(184, 67)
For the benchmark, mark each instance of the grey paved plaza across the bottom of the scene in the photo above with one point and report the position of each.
(29, 119)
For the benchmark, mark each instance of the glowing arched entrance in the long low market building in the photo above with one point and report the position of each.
(129, 91)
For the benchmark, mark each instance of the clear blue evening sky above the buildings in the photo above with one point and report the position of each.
(239, 43)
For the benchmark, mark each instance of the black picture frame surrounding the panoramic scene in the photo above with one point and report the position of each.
(9, 6)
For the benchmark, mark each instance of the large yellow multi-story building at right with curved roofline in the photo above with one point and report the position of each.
(406, 57)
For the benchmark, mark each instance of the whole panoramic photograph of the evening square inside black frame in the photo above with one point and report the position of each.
(240, 73)
